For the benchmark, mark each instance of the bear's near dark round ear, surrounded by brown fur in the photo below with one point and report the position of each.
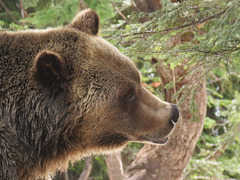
(48, 65)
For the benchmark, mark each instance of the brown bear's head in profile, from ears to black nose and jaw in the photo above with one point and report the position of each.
(99, 100)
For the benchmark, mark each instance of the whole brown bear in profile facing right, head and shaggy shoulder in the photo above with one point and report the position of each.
(66, 93)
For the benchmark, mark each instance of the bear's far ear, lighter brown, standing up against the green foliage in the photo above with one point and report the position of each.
(86, 21)
